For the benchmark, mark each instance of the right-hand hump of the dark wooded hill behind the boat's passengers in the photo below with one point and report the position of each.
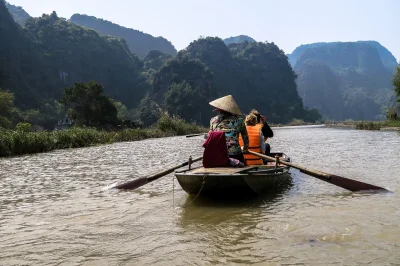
(274, 90)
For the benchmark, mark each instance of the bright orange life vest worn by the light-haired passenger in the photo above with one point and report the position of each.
(254, 144)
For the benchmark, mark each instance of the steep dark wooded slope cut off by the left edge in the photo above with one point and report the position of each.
(22, 70)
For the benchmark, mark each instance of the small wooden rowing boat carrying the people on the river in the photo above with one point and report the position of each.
(236, 181)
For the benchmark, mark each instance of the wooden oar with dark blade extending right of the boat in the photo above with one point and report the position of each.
(346, 183)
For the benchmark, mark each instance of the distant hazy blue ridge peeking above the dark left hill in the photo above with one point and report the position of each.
(139, 43)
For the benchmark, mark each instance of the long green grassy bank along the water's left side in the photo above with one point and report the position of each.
(17, 142)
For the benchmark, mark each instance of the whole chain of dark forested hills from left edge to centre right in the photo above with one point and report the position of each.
(50, 54)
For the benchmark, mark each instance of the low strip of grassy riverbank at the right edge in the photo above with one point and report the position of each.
(367, 125)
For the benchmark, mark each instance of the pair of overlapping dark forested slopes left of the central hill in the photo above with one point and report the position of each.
(50, 54)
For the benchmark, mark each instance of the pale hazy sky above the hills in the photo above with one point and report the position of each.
(287, 23)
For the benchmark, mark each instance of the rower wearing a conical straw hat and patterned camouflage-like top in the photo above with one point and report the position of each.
(230, 121)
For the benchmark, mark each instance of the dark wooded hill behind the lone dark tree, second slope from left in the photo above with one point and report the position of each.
(79, 54)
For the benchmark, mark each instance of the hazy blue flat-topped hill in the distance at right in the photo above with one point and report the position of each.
(360, 72)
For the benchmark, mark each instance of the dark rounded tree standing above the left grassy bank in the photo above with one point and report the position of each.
(88, 106)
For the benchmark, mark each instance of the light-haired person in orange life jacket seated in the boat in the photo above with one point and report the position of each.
(256, 140)
